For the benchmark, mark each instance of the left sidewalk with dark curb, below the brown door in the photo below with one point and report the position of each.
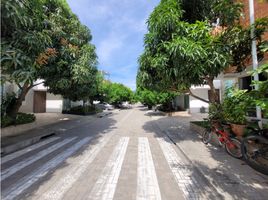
(46, 124)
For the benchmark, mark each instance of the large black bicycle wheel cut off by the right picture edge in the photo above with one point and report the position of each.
(255, 153)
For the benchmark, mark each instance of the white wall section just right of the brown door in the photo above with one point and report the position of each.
(54, 103)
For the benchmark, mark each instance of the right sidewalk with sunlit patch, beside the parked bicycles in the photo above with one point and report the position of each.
(231, 177)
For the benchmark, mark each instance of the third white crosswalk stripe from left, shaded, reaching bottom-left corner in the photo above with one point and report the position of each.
(30, 179)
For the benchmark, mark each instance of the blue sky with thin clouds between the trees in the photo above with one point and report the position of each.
(118, 28)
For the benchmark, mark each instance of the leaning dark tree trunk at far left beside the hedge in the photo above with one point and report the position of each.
(14, 109)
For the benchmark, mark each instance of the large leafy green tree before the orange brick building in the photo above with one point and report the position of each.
(181, 51)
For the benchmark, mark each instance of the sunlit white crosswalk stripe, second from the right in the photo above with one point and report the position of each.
(147, 184)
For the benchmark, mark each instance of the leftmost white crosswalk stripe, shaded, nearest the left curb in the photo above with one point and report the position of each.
(26, 150)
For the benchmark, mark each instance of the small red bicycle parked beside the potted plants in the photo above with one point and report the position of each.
(225, 138)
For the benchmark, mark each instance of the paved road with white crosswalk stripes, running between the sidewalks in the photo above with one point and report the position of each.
(122, 156)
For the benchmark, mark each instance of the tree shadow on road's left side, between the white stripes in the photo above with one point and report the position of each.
(95, 128)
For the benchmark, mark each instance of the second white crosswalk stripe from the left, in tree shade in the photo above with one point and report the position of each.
(24, 163)
